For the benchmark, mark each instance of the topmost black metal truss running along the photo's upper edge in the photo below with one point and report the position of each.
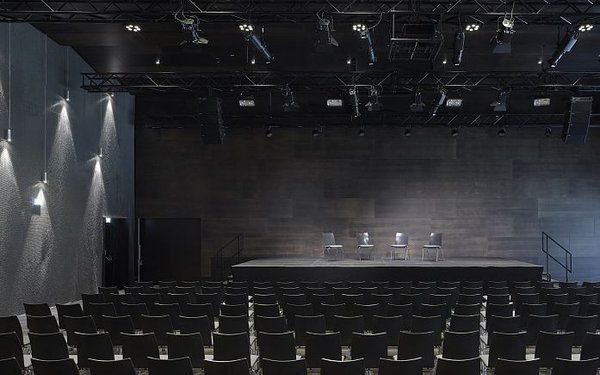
(296, 11)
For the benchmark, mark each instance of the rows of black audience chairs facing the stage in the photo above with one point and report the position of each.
(275, 325)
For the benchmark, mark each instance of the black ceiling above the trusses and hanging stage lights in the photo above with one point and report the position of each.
(96, 31)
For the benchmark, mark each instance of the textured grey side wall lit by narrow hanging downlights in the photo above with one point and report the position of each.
(55, 256)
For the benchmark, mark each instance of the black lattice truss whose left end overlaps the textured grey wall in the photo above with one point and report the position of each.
(388, 82)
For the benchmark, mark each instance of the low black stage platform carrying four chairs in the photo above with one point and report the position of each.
(451, 269)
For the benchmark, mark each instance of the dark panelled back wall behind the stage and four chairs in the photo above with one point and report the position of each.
(490, 196)
